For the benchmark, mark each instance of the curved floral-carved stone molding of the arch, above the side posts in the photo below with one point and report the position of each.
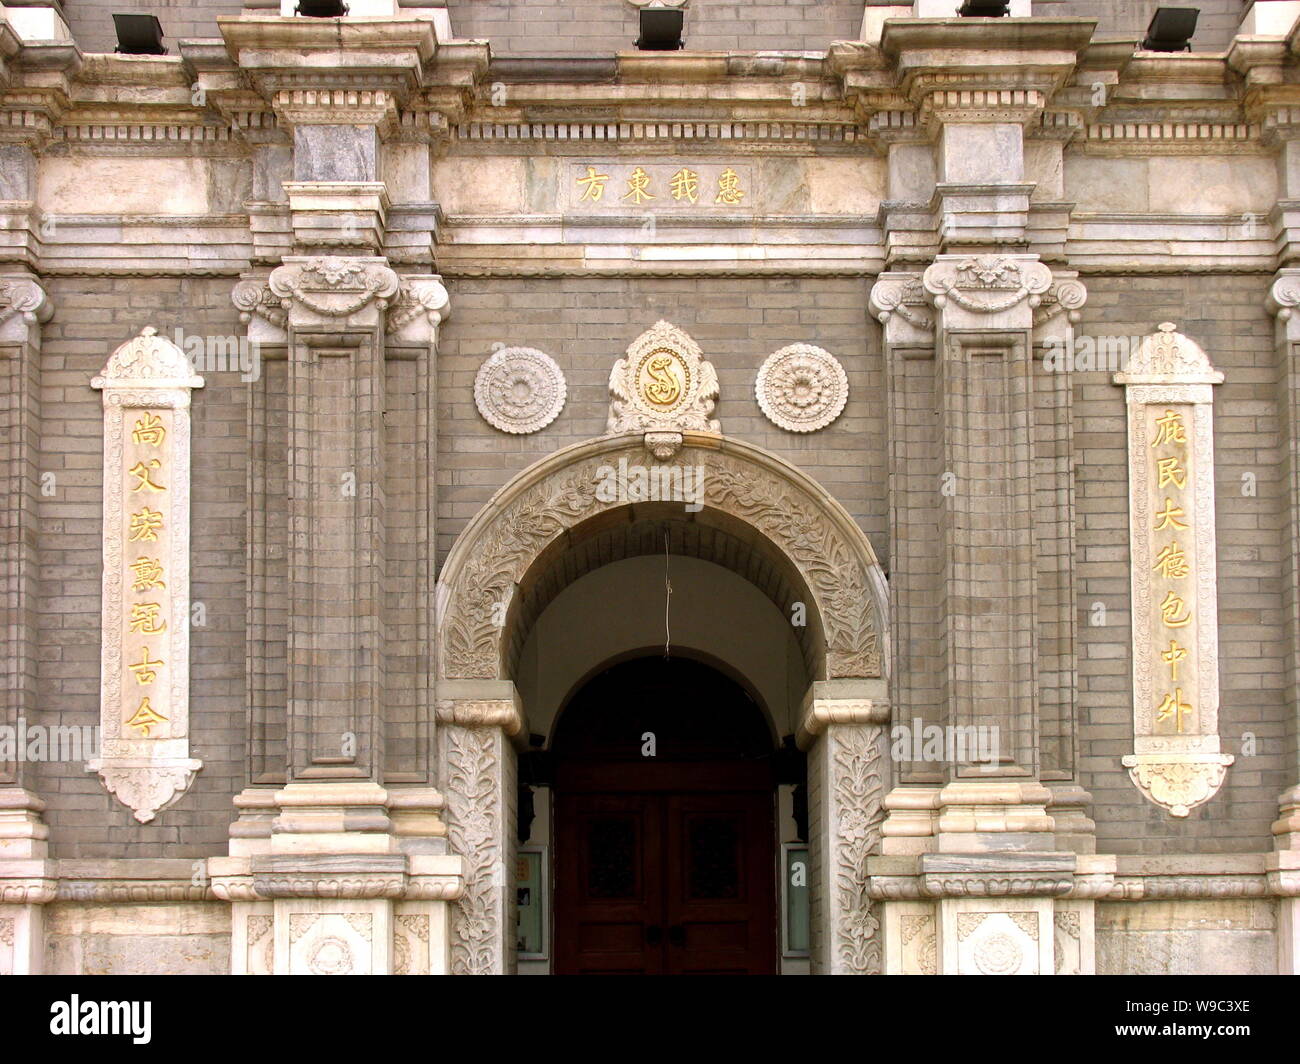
(817, 538)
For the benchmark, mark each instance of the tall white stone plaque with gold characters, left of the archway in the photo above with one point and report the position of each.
(145, 681)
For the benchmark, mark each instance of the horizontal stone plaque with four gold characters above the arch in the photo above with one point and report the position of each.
(619, 188)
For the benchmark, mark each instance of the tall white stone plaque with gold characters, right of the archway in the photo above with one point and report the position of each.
(1169, 387)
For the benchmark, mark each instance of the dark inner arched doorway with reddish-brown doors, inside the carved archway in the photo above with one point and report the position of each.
(664, 825)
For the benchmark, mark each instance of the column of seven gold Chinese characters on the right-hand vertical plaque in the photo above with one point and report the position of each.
(1173, 564)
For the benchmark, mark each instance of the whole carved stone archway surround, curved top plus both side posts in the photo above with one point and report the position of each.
(739, 486)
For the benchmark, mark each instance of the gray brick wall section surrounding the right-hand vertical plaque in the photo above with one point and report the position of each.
(1227, 317)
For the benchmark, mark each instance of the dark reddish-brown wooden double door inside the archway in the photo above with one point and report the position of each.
(665, 883)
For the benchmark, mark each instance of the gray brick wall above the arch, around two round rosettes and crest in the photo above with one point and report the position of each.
(586, 325)
